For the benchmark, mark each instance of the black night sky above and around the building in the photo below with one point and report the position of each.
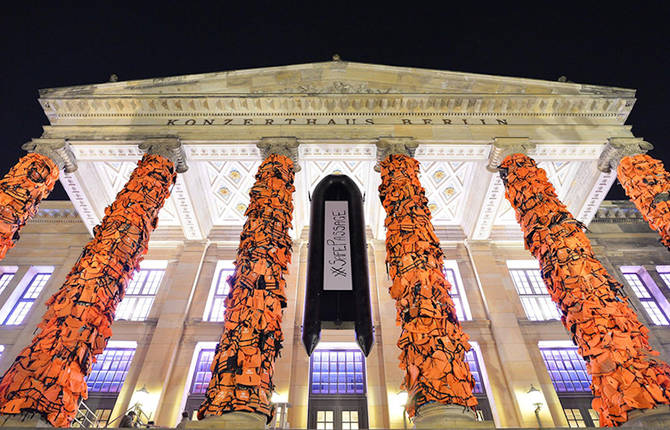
(55, 45)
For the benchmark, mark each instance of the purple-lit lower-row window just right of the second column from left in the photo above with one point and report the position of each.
(109, 372)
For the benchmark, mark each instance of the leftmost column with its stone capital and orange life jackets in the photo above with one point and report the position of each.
(27, 183)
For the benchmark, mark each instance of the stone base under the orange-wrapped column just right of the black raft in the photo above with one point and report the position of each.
(439, 416)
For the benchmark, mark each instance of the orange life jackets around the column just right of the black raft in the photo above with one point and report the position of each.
(432, 341)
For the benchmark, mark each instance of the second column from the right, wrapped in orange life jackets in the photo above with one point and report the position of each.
(603, 325)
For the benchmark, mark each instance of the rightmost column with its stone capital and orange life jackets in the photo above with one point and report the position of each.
(643, 178)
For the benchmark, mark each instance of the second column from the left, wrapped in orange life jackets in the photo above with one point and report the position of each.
(48, 375)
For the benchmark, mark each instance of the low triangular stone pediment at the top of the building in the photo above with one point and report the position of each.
(335, 77)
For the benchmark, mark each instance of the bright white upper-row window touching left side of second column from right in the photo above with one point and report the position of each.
(533, 293)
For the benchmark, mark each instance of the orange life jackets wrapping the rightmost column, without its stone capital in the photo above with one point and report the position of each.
(647, 184)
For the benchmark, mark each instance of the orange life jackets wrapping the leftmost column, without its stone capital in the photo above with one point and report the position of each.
(21, 192)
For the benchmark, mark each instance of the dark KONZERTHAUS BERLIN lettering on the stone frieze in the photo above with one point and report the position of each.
(335, 121)
